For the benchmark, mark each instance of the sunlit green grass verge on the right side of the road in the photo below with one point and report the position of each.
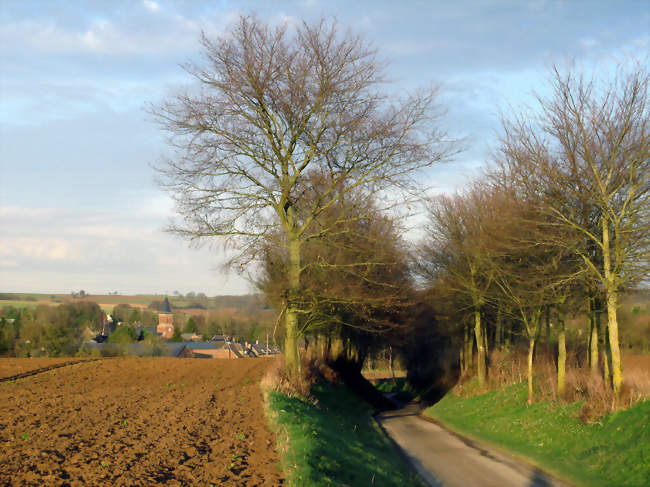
(613, 451)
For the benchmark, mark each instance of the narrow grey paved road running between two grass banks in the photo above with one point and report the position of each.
(443, 458)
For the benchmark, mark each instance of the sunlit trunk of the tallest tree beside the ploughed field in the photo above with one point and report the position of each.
(292, 357)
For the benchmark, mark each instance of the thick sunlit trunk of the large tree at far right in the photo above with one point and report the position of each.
(612, 322)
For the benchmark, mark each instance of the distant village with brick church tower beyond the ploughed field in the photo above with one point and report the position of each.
(190, 346)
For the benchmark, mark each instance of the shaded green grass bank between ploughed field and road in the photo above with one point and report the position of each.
(333, 440)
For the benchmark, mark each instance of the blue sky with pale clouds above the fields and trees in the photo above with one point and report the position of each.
(79, 205)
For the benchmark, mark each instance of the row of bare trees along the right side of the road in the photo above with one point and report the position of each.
(562, 220)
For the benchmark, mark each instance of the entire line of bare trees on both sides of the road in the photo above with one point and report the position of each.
(291, 152)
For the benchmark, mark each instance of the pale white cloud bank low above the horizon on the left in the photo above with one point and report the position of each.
(55, 250)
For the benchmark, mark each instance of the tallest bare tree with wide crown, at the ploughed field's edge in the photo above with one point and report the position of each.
(273, 107)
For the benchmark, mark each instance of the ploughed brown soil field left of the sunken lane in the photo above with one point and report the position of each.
(138, 421)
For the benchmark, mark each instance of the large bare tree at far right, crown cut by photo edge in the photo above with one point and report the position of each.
(589, 150)
